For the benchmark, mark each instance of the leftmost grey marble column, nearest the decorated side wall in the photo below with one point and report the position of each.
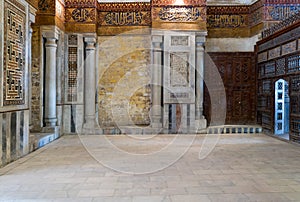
(50, 117)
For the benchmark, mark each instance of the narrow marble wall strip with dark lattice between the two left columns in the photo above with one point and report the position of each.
(72, 84)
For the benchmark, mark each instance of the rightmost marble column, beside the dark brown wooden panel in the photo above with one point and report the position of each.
(200, 119)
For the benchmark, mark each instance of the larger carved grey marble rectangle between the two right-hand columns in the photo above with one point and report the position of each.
(179, 64)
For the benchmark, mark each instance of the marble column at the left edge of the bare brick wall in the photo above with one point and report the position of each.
(90, 123)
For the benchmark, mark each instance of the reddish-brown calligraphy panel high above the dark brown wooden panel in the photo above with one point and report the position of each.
(227, 21)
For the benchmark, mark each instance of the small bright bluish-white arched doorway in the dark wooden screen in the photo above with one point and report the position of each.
(282, 109)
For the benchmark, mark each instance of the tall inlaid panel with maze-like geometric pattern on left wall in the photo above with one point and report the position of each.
(14, 53)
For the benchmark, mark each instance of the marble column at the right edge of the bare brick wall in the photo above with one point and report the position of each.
(156, 113)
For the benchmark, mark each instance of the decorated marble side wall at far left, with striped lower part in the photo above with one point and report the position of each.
(14, 94)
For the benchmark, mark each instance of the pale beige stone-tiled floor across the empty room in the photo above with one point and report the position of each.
(183, 168)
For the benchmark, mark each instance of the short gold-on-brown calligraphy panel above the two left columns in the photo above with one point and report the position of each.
(80, 15)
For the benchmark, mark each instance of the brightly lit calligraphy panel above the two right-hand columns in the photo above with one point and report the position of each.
(181, 14)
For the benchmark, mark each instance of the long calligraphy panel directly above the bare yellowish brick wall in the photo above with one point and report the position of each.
(125, 18)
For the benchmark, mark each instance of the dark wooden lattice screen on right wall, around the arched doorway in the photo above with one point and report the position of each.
(285, 64)
